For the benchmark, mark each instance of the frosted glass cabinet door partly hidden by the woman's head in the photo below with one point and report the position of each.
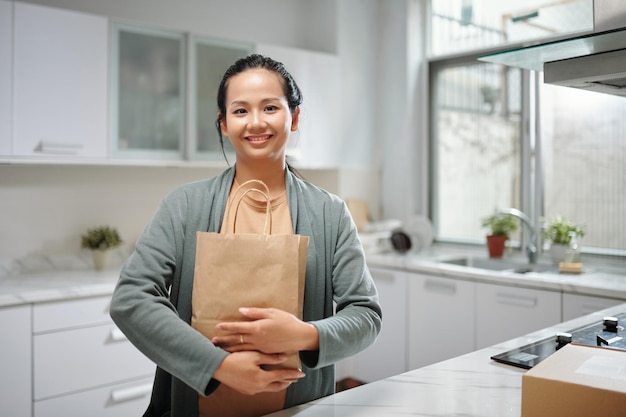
(211, 60)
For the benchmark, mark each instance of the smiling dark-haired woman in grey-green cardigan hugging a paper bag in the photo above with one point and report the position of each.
(258, 103)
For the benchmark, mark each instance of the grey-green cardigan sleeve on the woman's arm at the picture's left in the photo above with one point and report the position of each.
(141, 307)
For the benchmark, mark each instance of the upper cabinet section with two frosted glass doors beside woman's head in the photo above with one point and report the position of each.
(163, 88)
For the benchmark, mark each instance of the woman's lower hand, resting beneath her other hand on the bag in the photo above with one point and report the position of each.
(243, 371)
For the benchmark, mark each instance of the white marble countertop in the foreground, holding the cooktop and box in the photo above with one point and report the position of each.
(470, 385)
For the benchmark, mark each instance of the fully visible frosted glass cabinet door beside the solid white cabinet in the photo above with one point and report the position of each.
(148, 93)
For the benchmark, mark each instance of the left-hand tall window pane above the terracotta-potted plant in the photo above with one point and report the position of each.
(476, 121)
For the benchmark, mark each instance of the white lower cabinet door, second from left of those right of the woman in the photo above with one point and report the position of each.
(441, 319)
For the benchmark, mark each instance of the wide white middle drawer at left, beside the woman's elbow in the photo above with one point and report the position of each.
(78, 359)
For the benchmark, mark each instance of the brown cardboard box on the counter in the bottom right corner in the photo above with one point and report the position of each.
(576, 381)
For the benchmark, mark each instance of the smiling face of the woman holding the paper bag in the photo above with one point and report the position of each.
(257, 120)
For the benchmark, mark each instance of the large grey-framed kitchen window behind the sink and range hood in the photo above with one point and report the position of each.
(487, 154)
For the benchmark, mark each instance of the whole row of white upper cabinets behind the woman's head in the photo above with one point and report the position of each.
(81, 87)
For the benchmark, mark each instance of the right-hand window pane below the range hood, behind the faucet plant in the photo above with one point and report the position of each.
(584, 153)
